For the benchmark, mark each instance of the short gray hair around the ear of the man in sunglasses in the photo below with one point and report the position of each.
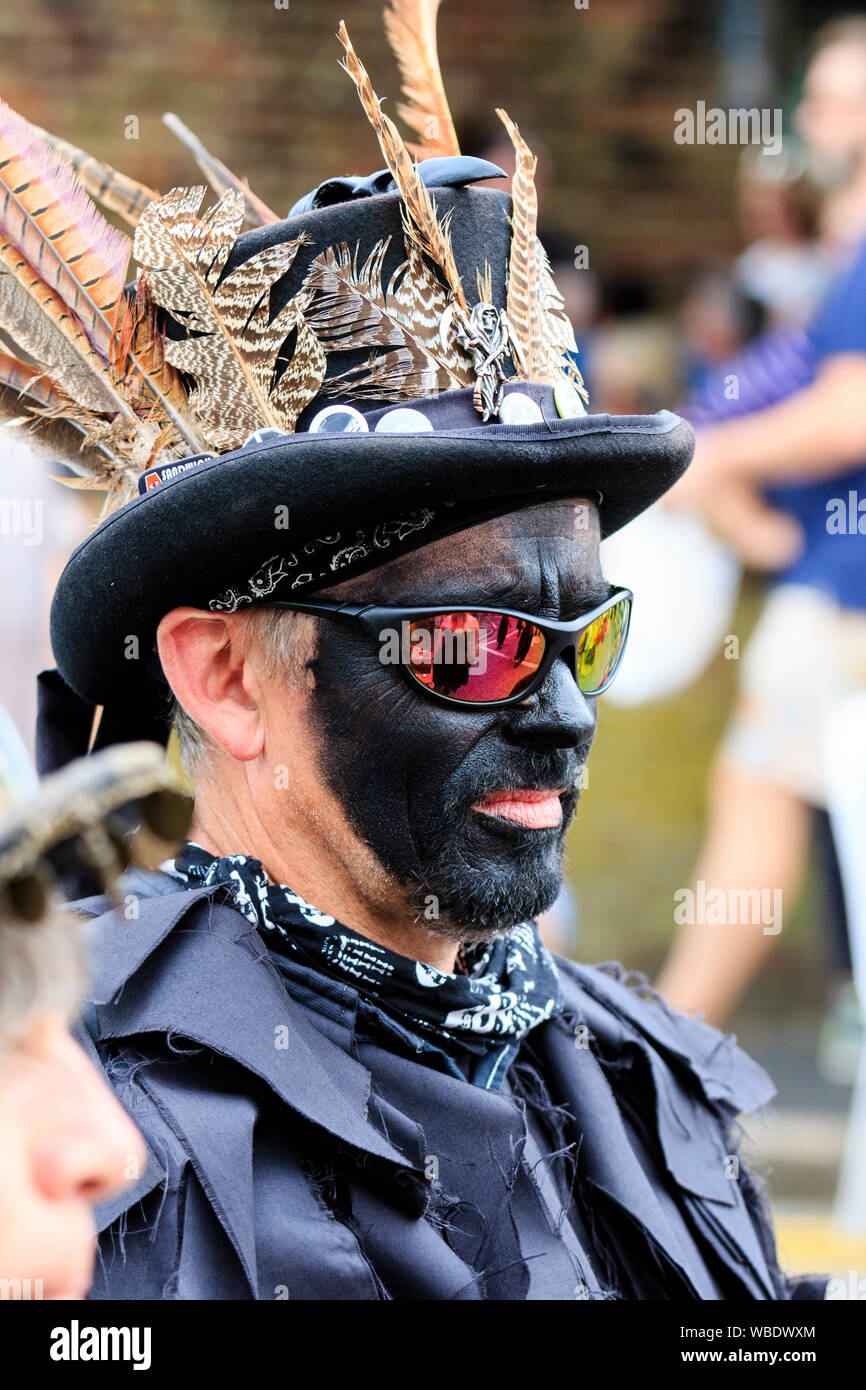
(286, 643)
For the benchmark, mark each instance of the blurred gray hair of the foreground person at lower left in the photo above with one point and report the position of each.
(41, 972)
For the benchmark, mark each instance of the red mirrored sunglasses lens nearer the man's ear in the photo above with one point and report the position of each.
(475, 657)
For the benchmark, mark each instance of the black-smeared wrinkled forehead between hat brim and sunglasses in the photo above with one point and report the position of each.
(561, 537)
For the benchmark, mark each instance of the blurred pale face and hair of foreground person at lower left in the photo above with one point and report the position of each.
(65, 1142)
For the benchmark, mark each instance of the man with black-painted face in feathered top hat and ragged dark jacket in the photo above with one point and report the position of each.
(359, 1072)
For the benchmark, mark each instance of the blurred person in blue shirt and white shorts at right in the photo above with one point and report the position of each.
(781, 472)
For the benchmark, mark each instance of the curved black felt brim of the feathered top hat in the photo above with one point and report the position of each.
(204, 532)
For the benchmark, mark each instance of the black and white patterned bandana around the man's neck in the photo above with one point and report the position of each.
(498, 995)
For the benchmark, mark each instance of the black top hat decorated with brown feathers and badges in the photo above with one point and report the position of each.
(390, 365)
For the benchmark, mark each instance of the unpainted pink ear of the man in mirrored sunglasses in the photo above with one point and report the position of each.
(204, 660)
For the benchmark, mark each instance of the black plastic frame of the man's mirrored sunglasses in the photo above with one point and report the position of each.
(559, 639)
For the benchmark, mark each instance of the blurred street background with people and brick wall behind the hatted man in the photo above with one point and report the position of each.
(717, 279)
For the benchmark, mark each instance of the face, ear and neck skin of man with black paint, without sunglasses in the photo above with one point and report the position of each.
(436, 826)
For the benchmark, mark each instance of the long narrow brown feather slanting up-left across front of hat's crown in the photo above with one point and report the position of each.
(423, 224)
